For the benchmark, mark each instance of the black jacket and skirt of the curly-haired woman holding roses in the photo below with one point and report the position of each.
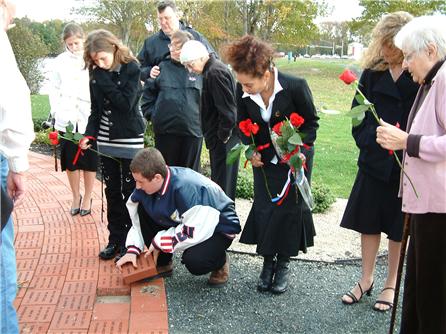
(288, 228)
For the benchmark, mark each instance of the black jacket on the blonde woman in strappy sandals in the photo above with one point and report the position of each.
(393, 101)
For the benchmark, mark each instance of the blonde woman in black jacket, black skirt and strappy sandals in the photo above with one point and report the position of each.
(373, 206)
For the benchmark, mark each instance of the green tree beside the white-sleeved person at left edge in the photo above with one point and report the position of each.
(29, 53)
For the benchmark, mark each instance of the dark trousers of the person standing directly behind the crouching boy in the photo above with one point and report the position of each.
(182, 151)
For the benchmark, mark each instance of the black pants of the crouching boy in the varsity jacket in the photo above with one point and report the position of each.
(200, 259)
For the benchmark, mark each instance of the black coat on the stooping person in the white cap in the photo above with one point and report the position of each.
(218, 102)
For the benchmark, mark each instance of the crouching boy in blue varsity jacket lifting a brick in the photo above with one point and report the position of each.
(178, 209)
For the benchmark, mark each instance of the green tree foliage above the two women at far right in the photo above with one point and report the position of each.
(374, 10)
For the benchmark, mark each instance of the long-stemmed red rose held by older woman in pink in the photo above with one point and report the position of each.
(358, 113)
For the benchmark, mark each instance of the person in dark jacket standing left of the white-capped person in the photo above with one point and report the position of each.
(173, 103)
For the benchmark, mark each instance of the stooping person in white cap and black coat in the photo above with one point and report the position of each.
(218, 111)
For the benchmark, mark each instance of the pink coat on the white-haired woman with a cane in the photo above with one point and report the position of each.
(428, 171)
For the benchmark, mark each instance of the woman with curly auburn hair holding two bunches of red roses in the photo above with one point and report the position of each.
(268, 97)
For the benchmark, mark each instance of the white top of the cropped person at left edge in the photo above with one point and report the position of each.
(16, 126)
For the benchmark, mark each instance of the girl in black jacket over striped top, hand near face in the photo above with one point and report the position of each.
(117, 124)
